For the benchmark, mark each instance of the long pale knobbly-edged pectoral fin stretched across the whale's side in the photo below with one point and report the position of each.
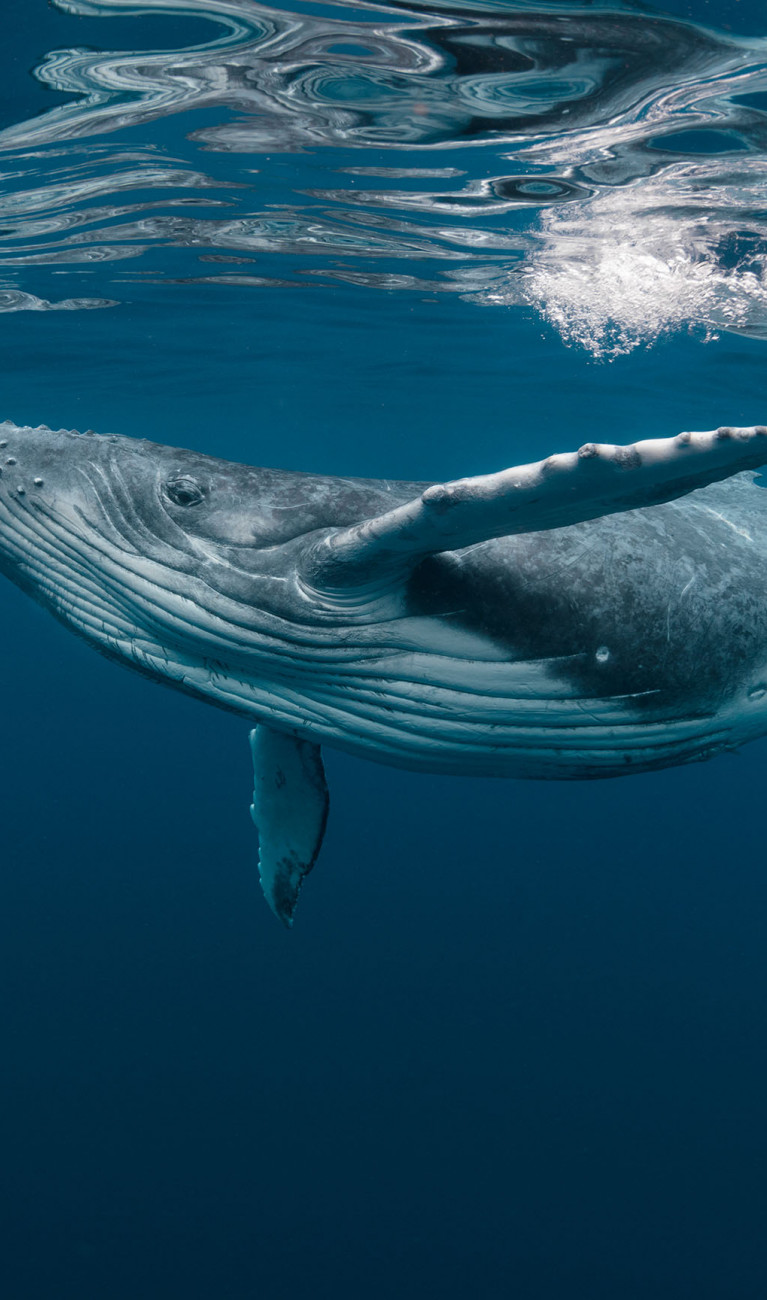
(565, 489)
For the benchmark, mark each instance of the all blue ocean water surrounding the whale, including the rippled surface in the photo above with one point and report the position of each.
(517, 1042)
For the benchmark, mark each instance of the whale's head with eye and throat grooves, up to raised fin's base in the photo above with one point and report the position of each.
(163, 557)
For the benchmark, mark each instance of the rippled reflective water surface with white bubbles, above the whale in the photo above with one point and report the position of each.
(599, 164)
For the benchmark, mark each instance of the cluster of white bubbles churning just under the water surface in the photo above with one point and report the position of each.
(630, 266)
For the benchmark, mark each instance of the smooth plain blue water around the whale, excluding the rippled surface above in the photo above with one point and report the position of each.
(517, 1043)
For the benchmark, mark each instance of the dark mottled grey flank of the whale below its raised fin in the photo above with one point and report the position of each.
(662, 609)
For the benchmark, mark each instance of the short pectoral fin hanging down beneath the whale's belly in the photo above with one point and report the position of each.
(291, 811)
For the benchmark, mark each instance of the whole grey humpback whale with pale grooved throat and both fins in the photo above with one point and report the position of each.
(599, 613)
